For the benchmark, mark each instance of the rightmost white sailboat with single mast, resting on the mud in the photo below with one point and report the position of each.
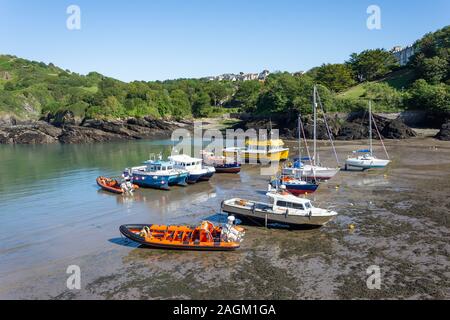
(366, 160)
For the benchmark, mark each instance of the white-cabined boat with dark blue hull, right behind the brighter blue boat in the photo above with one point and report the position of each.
(197, 171)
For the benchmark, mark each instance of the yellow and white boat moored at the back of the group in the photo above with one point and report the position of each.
(260, 151)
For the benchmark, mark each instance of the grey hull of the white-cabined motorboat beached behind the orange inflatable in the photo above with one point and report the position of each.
(259, 217)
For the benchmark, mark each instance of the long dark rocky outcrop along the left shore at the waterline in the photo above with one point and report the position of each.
(64, 128)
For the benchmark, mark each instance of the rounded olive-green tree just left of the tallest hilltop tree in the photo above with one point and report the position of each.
(336, 77)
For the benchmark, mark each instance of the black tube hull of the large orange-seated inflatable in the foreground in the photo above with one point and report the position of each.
(161, 244)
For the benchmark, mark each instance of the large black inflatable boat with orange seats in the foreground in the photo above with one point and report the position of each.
(206, 236)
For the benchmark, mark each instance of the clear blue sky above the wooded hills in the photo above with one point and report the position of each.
(167, 39)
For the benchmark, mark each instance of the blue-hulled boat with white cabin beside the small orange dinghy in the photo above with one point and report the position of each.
(158, 174)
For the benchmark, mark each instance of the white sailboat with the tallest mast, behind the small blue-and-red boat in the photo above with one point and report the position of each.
(313, 170)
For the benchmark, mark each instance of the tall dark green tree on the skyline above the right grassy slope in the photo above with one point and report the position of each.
(372, 64)
